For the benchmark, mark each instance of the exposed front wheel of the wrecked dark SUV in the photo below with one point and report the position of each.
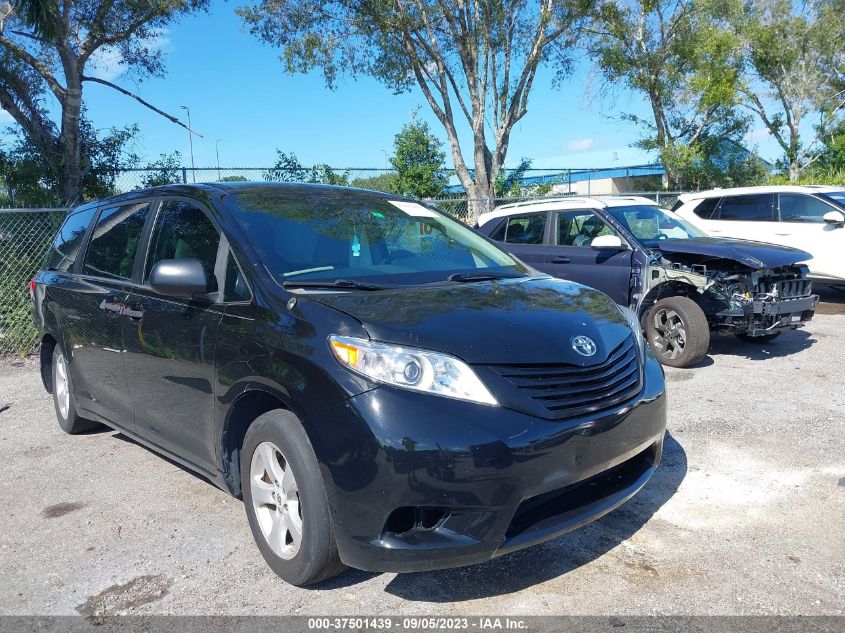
(678, 331)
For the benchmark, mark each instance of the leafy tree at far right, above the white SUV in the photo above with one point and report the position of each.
(795, 56)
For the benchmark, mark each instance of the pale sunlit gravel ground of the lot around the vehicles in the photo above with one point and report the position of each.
(744, 516)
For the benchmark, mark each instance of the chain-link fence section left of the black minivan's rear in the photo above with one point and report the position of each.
(25, 235)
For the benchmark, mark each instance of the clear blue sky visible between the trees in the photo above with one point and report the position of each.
(238, 92)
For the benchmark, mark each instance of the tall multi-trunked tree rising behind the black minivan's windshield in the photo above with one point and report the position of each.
(476, 61)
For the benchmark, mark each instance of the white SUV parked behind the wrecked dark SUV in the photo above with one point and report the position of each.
(810, 218)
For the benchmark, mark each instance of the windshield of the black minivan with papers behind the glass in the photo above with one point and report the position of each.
(309, 234)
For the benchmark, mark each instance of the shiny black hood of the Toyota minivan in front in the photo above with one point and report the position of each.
(517, 321)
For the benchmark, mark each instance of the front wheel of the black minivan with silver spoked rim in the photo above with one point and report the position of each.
(286, 501)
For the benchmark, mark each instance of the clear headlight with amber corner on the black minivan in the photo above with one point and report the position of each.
(411, 368)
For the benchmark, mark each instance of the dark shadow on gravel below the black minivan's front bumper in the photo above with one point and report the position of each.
(555, 558)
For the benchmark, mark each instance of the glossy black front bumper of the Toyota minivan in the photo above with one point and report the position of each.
(418, 482)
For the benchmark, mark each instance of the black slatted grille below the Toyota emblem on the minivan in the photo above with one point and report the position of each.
(569, 391)
